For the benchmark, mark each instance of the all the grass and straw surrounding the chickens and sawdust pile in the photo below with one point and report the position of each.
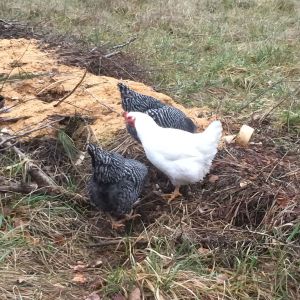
(235, 238)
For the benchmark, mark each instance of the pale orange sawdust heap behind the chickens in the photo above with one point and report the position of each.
(37, 80)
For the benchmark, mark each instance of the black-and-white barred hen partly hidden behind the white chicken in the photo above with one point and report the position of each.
(164, 115)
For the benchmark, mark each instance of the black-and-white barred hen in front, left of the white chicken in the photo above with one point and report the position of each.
(116, 183)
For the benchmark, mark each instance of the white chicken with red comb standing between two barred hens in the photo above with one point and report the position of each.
(183, 156)
